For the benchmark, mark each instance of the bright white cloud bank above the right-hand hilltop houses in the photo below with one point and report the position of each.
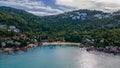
(91, 4)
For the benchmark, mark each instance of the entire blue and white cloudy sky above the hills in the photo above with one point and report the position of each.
(51, 7)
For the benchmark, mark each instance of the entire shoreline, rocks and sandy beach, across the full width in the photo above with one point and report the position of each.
(107, 49)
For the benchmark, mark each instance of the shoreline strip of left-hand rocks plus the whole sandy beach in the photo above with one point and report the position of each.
(10, 50)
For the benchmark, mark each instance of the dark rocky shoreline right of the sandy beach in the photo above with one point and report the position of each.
(107, 49)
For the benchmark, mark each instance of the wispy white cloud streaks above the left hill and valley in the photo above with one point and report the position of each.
(35, 7)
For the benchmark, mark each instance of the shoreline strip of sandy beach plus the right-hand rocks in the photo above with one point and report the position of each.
(107, 49)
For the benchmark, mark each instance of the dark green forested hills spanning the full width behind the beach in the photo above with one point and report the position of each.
(86, 26)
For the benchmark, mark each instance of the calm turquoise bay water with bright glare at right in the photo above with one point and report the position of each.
(59, 57)
